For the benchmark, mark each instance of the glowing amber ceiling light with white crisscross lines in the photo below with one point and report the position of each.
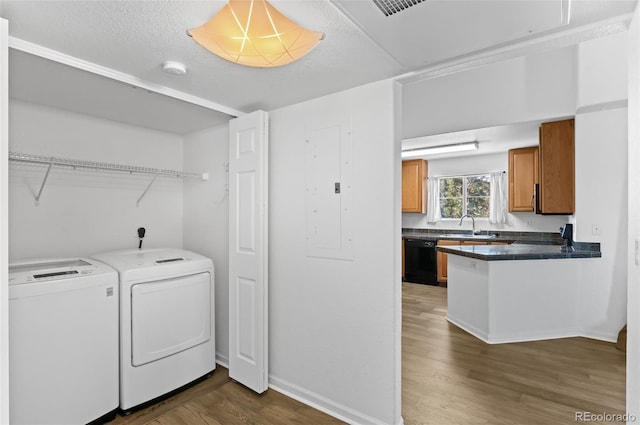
(254, 33)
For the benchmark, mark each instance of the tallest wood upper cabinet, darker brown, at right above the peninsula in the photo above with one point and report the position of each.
(557, 167)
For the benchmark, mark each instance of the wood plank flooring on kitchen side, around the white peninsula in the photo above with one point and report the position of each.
(451, 377)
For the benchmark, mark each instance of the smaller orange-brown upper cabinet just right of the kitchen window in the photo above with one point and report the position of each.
(523, 176)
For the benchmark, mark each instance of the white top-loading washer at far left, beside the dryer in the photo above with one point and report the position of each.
(63, 342)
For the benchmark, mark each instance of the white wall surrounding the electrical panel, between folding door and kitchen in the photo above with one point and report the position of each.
(334, 324)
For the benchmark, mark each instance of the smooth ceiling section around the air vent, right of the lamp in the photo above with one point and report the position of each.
(460, 27)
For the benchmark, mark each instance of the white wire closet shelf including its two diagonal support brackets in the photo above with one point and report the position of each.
(52, 161)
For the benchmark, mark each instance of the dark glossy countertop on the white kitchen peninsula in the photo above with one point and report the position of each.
(523, 251)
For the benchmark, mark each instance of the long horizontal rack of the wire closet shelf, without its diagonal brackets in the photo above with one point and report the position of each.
(76, 163)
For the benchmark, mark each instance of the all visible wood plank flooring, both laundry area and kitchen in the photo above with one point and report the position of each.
(448, 377)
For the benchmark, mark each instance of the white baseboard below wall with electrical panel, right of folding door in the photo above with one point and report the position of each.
(330, 407)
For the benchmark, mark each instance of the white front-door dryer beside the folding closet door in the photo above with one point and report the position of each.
(167, 337)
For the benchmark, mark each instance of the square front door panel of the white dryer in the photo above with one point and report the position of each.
(169, 316)
